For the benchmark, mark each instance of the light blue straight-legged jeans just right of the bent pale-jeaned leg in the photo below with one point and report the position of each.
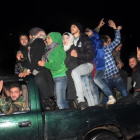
(90, 90)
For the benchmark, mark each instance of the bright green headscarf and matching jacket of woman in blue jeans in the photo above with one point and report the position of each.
(57, 57)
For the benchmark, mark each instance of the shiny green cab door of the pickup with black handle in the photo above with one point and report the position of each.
(24, 124)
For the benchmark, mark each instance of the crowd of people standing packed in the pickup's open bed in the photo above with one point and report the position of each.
(75, 68)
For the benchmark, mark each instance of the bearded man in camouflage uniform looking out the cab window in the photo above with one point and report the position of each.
(15, 102)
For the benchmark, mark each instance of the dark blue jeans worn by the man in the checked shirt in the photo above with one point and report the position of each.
(115, 83)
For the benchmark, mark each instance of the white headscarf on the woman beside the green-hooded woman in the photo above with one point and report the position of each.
(67, 47)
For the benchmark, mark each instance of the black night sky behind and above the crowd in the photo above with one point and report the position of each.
(54, 15)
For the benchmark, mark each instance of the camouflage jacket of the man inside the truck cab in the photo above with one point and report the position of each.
(8, 106)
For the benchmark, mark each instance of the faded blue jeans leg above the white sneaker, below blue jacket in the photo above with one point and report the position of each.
(98, 79)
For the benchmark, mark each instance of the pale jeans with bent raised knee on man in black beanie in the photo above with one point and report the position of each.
(77, 73)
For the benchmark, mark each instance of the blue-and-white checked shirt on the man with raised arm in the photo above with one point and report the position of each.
(110, 65)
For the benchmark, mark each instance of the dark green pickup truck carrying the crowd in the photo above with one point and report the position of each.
(103, 122)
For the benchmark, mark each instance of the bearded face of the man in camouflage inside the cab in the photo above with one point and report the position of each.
(15, 93)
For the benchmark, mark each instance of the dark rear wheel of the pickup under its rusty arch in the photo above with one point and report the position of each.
(102, 135)
